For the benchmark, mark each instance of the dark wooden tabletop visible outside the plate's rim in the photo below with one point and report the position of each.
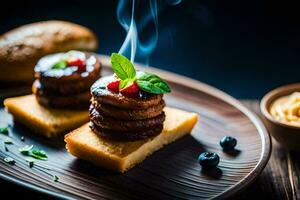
(279, 180)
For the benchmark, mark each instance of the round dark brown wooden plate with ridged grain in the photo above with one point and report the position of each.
(171, 173)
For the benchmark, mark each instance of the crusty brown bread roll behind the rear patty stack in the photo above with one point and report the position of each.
(21, 48)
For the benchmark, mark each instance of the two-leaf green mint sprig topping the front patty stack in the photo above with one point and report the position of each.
(125, 71)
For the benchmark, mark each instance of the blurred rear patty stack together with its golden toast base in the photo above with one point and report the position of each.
(61, 93)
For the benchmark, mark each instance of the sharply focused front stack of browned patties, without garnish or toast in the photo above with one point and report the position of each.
(119, 117)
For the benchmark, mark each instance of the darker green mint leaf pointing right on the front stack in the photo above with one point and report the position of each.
(152, 83)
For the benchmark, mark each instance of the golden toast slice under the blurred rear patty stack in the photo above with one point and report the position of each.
(44, 121)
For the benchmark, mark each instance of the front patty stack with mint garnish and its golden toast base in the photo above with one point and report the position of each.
(128, 119)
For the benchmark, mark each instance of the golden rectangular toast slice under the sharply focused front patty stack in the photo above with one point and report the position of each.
(121, 156)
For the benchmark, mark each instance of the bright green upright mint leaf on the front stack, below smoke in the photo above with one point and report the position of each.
(122, 66)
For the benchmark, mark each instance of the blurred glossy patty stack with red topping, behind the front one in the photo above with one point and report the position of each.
(66, 87)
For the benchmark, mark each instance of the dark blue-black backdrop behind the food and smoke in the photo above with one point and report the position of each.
(242, 47)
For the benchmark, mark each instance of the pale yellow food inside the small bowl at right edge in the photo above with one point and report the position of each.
(287, 109)
